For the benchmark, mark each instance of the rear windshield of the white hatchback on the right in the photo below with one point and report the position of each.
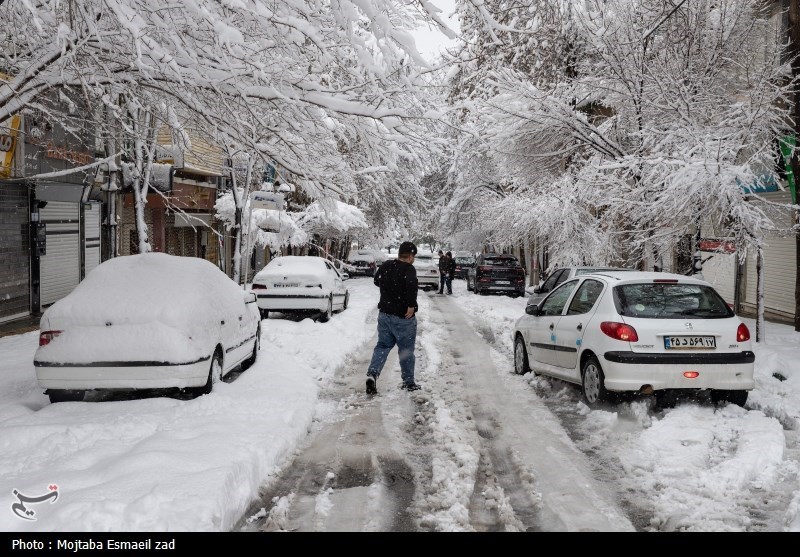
(670, 301)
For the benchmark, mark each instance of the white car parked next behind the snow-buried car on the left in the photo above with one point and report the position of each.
(301, 284)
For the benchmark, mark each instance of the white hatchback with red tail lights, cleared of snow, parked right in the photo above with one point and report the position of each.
(637, 332)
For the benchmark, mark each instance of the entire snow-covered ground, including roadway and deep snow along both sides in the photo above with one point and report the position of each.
(477, 449)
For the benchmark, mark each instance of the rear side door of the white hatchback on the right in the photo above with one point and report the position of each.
(572, 326)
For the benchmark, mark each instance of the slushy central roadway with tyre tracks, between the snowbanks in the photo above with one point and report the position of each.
(475, 450)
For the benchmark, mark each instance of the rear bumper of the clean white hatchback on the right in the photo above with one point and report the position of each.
(630, 371)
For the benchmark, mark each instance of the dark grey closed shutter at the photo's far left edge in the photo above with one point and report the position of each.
(14, 258)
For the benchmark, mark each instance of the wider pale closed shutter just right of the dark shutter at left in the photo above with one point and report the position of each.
(61, 266)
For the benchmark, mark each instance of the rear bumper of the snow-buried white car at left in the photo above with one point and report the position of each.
(122, 375)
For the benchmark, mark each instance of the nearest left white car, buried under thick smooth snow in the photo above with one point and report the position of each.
(148, 321)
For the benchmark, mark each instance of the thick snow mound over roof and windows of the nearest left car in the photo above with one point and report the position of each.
(173, 290)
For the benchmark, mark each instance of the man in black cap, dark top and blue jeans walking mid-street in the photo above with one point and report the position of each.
(397, 321)
